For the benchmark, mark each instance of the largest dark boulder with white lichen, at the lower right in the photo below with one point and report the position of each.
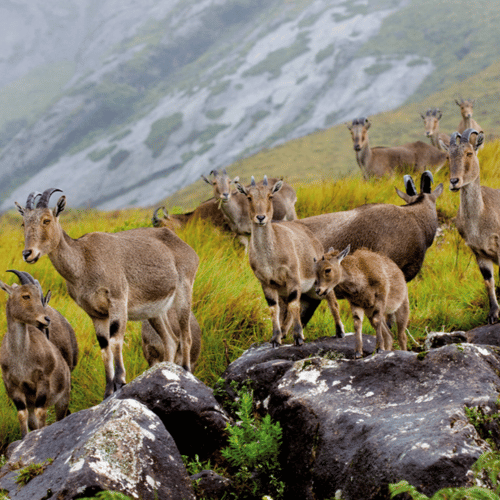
(356, 426)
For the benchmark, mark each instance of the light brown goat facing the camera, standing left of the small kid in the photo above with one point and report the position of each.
(282, 257)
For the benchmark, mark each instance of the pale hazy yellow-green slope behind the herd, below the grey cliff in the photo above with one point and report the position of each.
(328, 153)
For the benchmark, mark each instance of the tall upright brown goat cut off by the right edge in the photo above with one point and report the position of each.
(478, 218)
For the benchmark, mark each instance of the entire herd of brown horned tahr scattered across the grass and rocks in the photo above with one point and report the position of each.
(365, 255)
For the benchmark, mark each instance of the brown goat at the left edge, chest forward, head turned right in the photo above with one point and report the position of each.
(37, 354)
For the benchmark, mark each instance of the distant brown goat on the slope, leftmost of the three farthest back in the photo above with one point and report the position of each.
(380, 161)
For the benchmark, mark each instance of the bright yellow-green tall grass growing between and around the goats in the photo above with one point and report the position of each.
(448, 294)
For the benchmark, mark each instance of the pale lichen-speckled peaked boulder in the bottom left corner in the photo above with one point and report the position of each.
(118, 445)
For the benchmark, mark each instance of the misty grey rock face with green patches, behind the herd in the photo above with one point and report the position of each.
(166, 91)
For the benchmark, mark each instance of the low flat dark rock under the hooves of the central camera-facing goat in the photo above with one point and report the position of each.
(264, 364)
